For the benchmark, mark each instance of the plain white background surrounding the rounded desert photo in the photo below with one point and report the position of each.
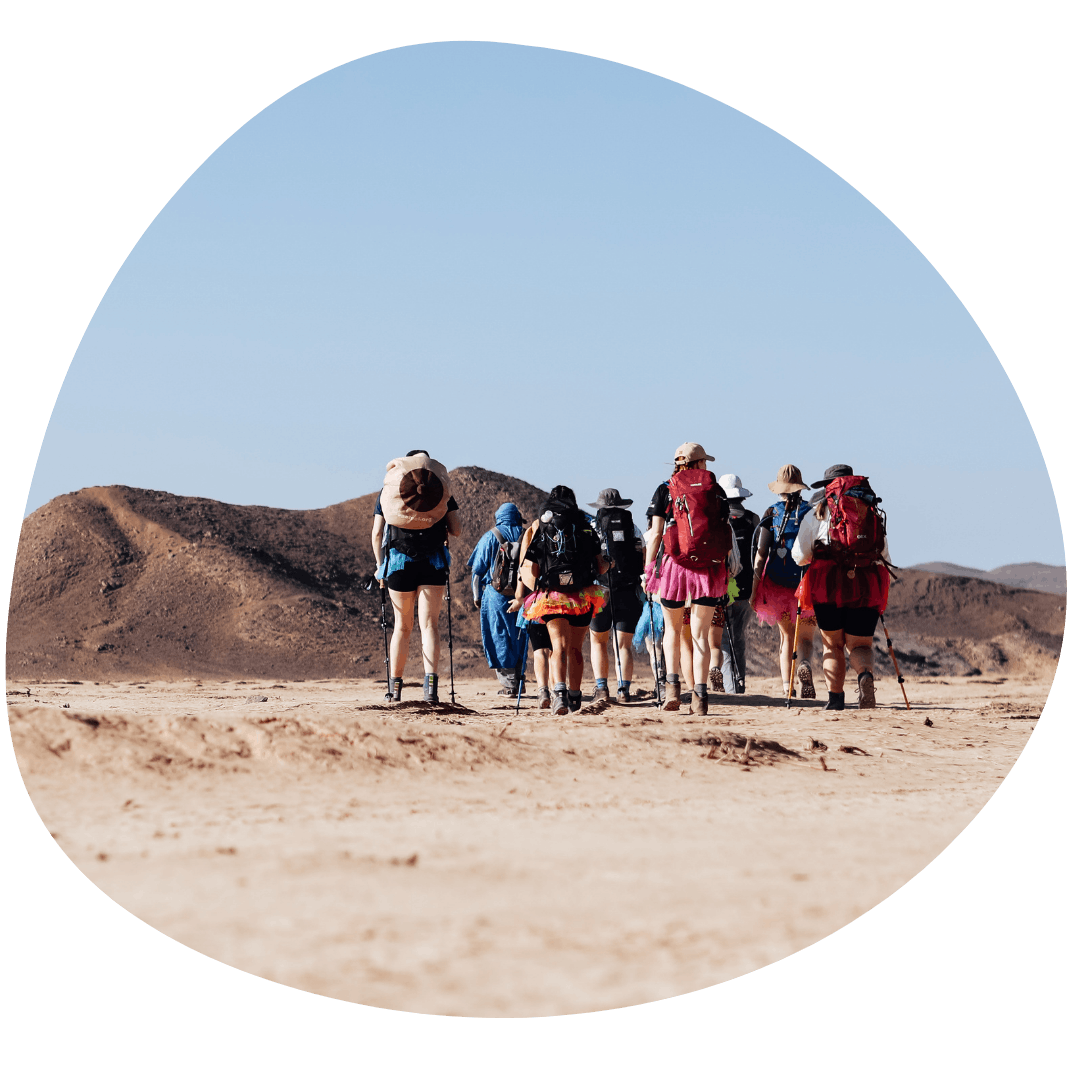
(957, 120)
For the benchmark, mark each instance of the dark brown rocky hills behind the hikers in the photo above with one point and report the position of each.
(119, 583)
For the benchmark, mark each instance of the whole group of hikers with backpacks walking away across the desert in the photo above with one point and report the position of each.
(684, 589)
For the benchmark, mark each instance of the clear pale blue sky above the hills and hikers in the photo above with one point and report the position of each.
(553, 267)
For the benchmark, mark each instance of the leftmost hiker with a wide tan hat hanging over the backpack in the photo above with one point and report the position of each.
(414, 517)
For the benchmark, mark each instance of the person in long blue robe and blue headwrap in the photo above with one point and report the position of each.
(494, 565)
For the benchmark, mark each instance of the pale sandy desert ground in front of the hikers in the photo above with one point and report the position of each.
(477, 862)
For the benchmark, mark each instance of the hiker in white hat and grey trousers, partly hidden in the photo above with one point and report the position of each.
(728, 671)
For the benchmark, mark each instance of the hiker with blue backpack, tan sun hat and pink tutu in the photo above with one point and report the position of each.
(777, 575)
